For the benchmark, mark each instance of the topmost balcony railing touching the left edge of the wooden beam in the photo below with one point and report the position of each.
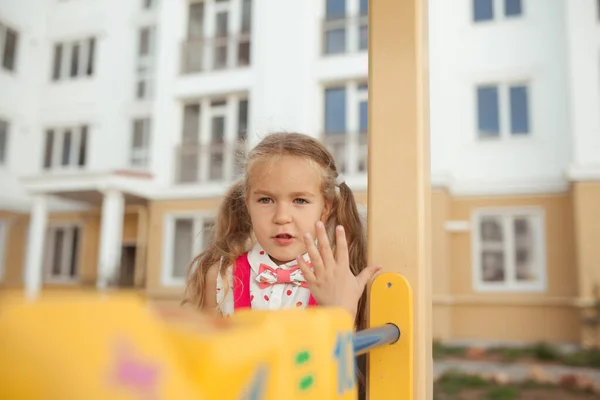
(345, 35)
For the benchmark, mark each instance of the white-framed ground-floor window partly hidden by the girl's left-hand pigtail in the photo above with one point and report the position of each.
(186, 236)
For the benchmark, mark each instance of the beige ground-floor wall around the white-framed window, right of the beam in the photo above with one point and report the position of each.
(461, 312)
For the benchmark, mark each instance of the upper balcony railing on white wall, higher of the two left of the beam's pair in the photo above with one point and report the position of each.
(209, 54)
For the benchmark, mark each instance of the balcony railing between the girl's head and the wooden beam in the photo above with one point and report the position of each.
(349, 151)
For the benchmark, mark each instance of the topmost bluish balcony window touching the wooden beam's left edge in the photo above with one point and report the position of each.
(345, 31)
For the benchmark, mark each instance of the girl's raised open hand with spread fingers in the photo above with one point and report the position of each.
(331, 282)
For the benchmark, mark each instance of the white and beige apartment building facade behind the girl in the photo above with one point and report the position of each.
(119, 133)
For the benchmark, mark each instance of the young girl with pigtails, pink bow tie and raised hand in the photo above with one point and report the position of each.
(264, 253)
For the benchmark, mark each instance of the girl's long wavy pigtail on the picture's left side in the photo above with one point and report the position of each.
(230, 240)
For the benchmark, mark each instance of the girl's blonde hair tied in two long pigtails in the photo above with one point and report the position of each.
(233, 230)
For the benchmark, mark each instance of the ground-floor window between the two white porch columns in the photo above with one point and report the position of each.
(63, 245)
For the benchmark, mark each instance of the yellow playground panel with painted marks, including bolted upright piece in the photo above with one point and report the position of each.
(92, 346)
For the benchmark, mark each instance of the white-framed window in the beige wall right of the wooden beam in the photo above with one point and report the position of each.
(509, 250)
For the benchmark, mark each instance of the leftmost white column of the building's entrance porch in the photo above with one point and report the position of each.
(35, 246)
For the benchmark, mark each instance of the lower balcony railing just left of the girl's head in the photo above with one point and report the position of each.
(214, 162)
